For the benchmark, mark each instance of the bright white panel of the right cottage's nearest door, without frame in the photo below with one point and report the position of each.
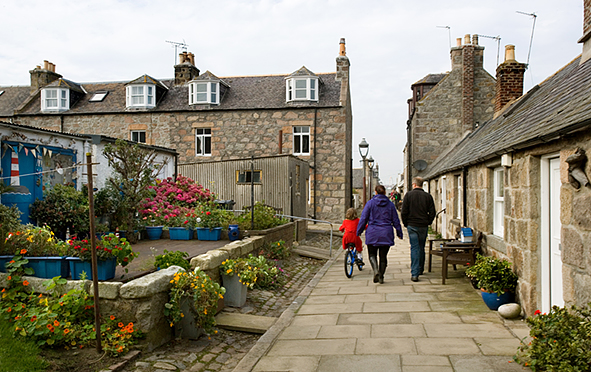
(554, 230)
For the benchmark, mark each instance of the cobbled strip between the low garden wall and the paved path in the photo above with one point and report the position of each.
(224, 350)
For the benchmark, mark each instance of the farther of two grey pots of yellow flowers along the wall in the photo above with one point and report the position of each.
(237, 276)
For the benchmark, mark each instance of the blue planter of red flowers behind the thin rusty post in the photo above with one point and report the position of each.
(110, 250)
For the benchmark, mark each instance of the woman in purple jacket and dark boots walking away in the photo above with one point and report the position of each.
(378, 217)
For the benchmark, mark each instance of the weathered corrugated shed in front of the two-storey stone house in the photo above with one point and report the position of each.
(284, 181)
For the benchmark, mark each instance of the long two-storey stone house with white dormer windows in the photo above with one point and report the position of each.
(208, 118)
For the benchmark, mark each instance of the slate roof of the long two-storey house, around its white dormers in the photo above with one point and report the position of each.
(245, 92)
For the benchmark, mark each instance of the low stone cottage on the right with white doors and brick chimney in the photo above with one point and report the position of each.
(521, 179)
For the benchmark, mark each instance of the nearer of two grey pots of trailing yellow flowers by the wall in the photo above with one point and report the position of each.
(193, 303)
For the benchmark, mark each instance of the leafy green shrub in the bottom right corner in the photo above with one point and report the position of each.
(561, 340)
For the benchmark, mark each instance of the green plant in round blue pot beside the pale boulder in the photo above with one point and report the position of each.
(496, 280)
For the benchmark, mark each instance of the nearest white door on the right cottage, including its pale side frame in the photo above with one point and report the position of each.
(551, 260)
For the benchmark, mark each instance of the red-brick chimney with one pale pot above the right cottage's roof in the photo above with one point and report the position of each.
(509, 79)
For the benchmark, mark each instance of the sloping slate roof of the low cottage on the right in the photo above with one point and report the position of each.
(559, 105)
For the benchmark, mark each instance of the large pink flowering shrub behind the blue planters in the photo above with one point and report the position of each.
(172, 199)
